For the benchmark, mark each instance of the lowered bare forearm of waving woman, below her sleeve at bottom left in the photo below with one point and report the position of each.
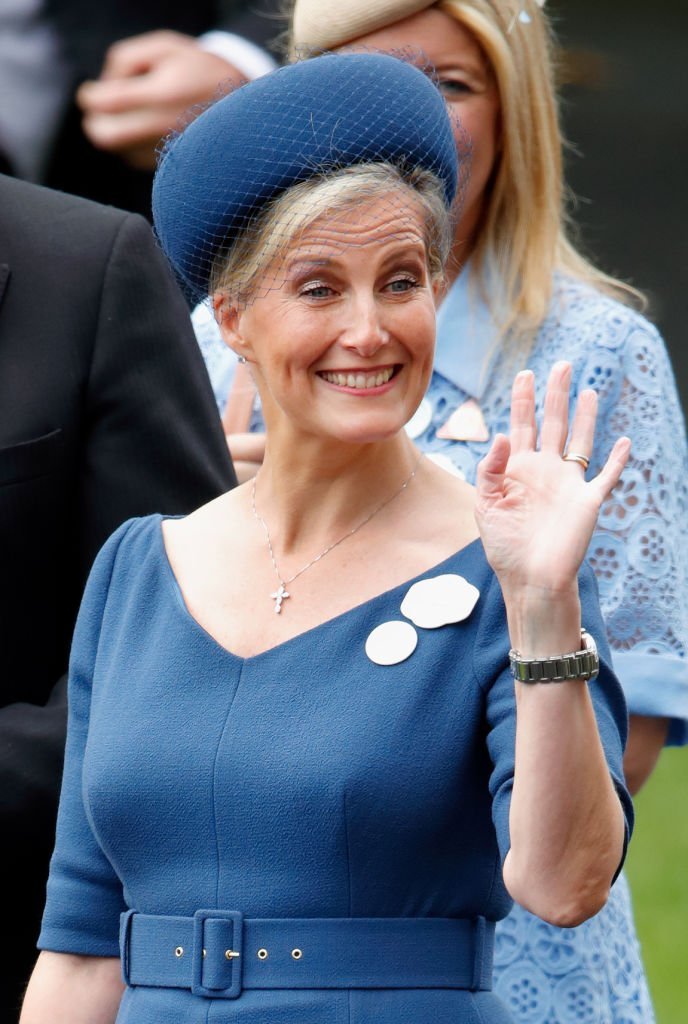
(70, 990)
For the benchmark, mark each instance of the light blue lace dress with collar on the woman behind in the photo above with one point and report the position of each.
(592, 974)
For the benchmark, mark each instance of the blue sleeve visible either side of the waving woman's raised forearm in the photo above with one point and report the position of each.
(493, 673)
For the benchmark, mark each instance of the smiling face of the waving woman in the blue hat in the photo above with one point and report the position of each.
(342, 344)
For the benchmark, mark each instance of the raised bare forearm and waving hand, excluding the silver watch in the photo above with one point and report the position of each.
(537, 515)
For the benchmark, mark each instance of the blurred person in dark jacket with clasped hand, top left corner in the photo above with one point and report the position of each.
(145, 64)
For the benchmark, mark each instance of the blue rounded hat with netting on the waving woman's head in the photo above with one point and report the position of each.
(218, 177)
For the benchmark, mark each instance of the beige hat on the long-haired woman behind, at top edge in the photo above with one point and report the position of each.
(324, 25)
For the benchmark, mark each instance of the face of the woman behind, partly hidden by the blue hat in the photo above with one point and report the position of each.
(468, 84)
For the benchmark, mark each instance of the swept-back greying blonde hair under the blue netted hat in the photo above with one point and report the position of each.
(241, 272)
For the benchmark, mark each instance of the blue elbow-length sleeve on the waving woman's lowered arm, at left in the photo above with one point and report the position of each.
(84, 894)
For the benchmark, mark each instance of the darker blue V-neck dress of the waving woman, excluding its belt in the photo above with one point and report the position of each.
(307, 782)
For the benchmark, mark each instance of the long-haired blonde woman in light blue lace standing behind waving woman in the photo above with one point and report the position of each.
(521, 290)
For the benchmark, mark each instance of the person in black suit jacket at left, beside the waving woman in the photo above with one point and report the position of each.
(106, 413)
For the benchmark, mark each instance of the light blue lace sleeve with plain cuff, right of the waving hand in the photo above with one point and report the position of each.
(640, 549)
